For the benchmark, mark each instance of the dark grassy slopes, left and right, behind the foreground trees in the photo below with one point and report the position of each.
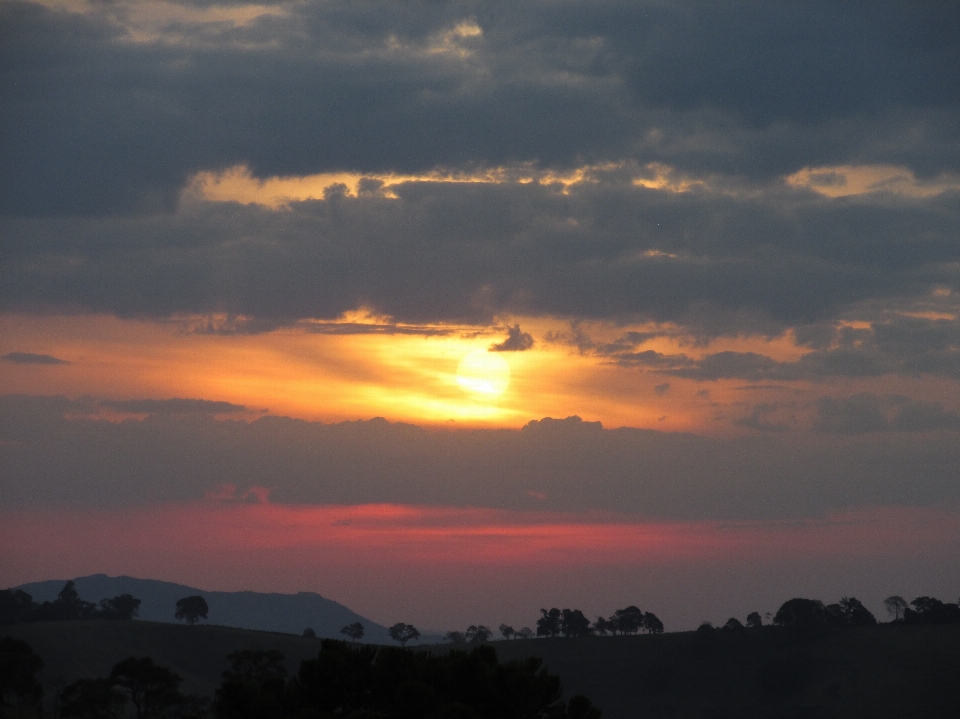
(883, 672)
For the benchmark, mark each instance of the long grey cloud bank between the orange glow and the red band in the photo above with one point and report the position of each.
(48, 460)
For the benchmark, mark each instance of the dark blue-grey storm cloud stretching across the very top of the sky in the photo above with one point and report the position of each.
(95, 121)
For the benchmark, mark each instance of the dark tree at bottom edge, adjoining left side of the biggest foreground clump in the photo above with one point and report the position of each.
(254, 686)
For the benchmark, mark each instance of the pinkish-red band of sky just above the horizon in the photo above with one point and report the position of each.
(420, 556)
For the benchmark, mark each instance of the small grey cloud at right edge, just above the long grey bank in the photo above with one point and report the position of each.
(864, 412)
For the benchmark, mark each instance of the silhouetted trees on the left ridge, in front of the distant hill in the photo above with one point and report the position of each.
(17, 606)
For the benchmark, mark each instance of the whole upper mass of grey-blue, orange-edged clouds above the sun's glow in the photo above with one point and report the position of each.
(744, 168)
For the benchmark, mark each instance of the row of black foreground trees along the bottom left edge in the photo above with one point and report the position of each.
(344, 681)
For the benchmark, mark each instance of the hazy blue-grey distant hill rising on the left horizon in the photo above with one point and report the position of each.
(288, 613)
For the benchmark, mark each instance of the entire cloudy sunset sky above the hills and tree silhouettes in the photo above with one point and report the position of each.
(450, 311)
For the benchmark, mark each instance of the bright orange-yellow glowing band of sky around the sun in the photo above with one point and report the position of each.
(361, 367)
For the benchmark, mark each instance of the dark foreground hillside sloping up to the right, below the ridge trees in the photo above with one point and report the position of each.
(881, 672)
